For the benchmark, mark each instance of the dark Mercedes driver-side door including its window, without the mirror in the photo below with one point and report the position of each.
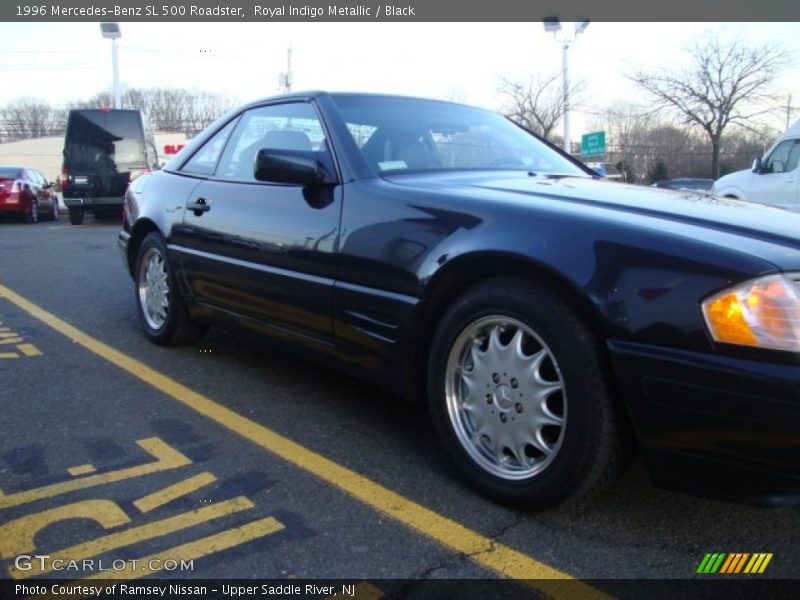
(260, 250)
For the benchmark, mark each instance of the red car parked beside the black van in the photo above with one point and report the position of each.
(26, 192)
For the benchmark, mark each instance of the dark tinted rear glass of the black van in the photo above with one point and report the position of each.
(106, 139)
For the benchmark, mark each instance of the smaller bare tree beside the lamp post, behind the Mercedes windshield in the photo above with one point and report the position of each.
(538, 103)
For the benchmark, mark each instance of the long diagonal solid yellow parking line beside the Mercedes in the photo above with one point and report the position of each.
(487, 552)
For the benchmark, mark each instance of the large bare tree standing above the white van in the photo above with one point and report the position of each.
(728, 84)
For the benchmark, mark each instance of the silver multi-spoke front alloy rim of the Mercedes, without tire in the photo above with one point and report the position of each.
(505, 397)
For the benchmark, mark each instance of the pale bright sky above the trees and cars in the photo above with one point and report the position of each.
(60, 62)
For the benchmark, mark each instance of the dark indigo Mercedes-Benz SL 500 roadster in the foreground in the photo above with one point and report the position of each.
(550, 319)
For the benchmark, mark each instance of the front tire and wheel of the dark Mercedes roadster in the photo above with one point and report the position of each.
(520, 397)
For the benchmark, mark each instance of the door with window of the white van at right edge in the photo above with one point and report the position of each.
(777, 183)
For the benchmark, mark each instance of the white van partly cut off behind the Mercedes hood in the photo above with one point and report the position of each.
(773, 179)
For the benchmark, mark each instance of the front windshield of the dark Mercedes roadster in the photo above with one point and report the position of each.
(406, 134)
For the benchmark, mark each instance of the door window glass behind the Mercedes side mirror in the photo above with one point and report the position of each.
(285, 126)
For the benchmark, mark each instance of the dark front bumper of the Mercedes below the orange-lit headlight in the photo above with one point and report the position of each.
(714, 425)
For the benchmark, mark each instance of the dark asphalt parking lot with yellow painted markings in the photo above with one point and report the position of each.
(254, 464)
